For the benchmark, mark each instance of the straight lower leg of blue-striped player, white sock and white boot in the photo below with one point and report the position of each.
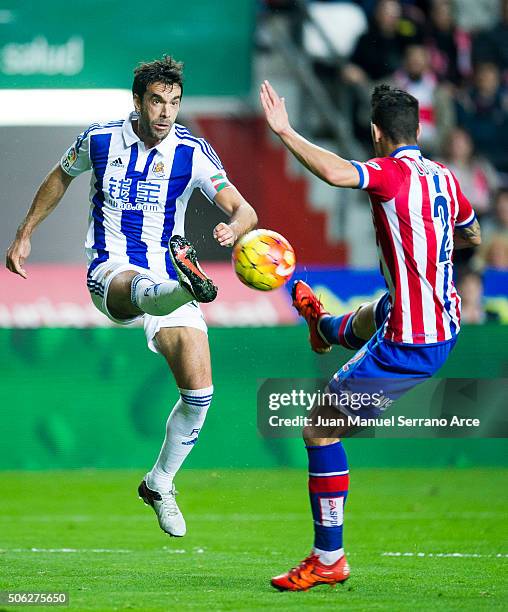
(187, 352)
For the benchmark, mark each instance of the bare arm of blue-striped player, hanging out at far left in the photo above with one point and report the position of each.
(47, 197)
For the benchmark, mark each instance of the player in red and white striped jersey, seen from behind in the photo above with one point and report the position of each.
(420, 216)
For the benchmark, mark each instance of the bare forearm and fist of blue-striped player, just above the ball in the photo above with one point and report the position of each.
(243, 217)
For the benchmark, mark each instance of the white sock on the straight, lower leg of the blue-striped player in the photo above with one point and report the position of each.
(182, 430)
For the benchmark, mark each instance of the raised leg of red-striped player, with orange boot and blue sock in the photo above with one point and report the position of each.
(351, 330)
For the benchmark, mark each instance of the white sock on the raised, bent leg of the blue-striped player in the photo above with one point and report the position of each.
(158, 298)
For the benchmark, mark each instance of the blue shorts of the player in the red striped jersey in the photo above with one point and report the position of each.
(382, 371)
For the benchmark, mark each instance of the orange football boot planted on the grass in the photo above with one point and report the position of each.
(311, 573)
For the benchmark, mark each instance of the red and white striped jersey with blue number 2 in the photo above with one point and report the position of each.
(416, 204)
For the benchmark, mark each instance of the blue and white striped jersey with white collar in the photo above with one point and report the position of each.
(138, 196)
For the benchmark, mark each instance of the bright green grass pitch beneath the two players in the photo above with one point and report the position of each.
(245, 526)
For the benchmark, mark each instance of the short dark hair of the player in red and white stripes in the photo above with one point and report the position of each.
(396, 113)
